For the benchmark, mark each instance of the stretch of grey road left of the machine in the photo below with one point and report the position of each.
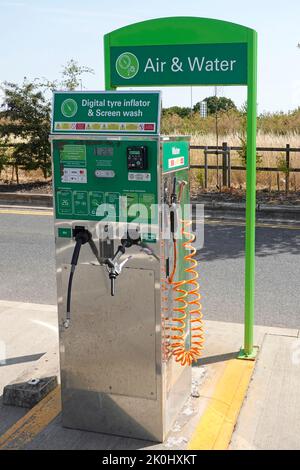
(27, 272)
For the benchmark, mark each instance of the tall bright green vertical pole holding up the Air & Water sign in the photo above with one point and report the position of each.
(249, 351)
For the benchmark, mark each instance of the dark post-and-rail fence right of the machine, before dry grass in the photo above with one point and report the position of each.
(226, 168)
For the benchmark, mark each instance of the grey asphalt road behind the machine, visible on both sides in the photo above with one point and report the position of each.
(27, 270)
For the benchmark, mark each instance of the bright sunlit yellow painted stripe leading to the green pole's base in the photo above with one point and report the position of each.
(216, 425)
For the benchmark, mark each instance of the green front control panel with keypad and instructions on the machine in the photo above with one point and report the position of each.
(94, 179)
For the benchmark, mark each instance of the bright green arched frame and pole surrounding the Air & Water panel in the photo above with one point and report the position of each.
(191, 30)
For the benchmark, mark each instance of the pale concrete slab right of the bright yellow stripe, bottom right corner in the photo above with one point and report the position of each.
(270, 417)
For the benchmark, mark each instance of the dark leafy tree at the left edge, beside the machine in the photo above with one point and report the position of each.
(25, 125)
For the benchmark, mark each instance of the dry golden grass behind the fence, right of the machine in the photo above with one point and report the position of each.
(274, 130)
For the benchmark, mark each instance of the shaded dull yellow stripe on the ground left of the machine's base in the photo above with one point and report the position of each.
(24, 430)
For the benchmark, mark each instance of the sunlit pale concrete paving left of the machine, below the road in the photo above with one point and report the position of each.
(28, 342)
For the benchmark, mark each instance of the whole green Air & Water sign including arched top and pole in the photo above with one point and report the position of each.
(181, 51)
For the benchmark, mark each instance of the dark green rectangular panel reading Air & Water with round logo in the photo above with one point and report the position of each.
(197, 64)
